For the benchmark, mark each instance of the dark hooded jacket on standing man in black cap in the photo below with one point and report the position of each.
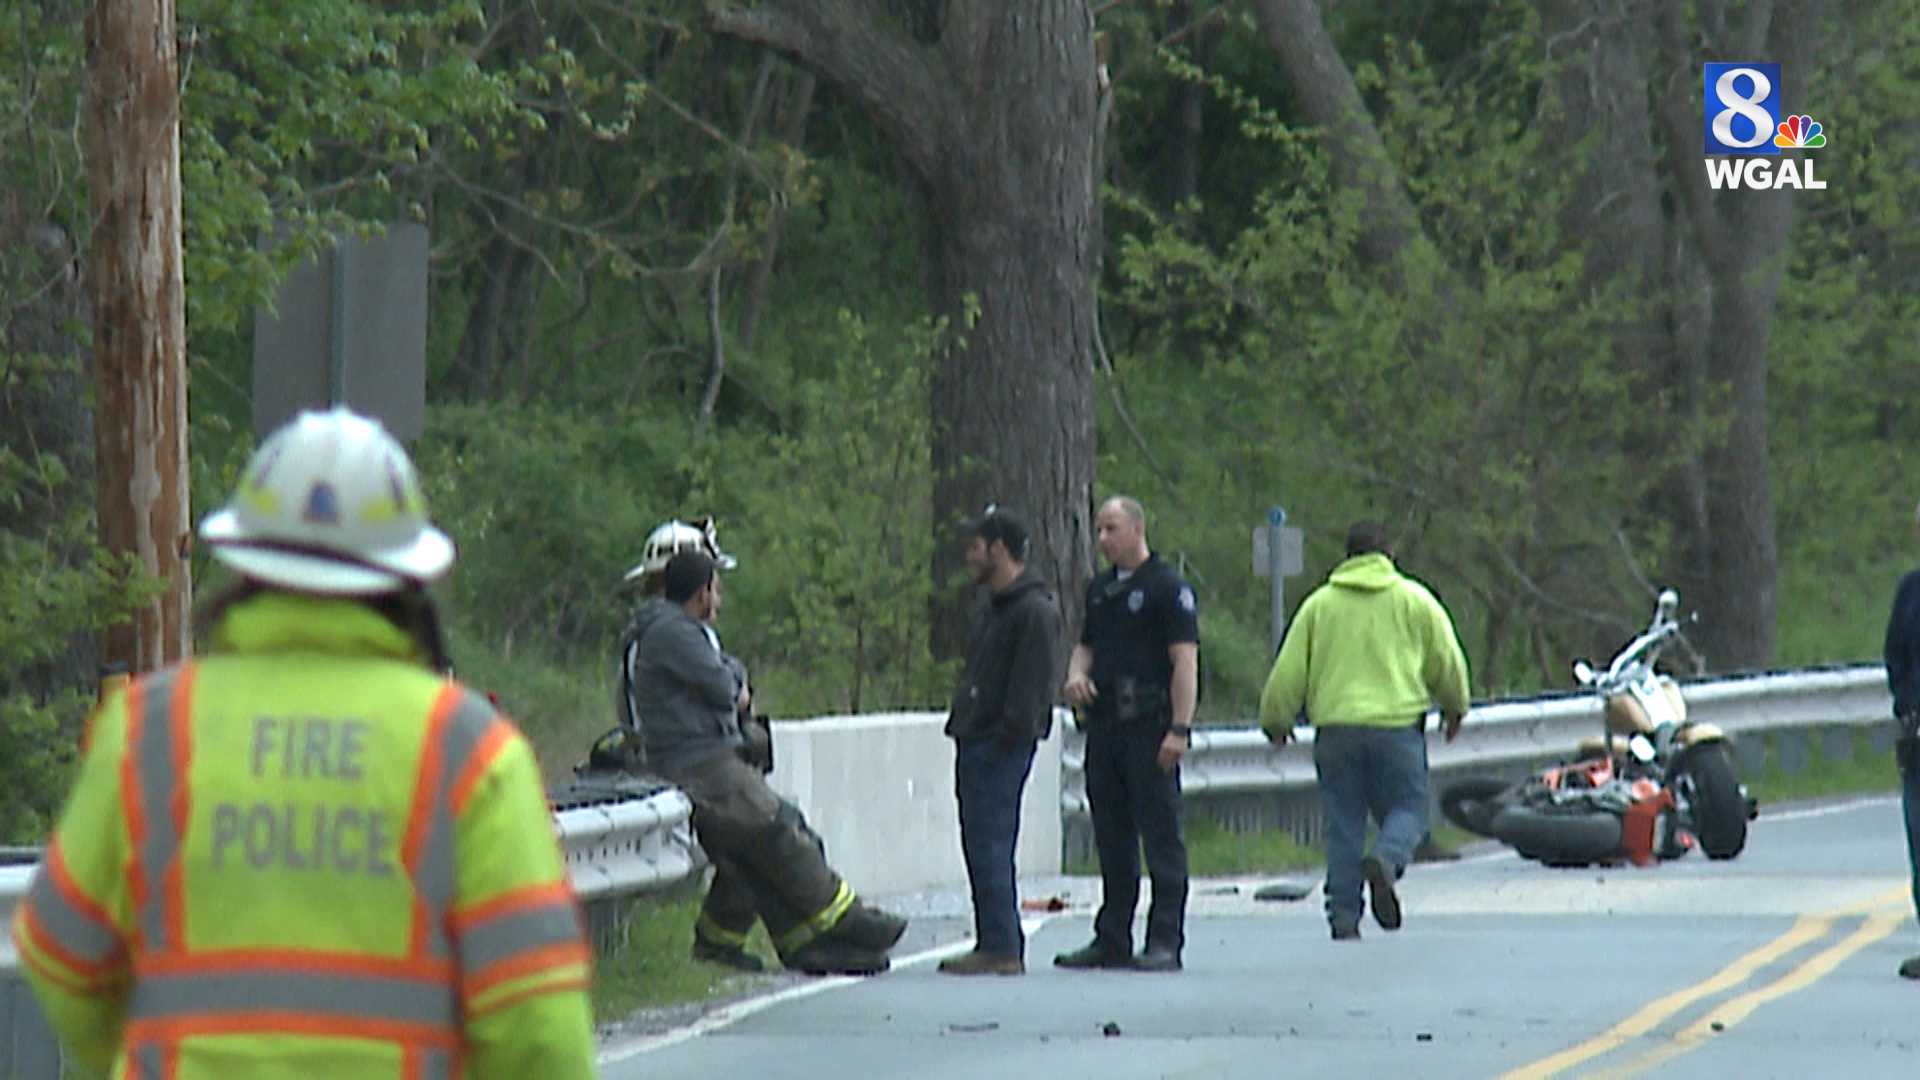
(1013, 666)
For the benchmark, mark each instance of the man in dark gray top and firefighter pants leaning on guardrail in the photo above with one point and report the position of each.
(692, 702)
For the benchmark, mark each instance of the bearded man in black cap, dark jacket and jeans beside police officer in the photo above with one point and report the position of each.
(999, 714)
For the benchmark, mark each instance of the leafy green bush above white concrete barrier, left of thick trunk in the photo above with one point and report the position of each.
(834, 568)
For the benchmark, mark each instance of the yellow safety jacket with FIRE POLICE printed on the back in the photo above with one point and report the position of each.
(308, 856)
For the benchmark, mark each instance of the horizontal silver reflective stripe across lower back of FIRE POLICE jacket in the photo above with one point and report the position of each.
(318, 994)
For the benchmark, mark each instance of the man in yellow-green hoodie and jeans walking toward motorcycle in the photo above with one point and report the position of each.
(1366, 658)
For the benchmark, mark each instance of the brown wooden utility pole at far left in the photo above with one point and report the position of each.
(133, 268)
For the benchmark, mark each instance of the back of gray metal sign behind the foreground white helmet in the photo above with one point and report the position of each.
(350, 330)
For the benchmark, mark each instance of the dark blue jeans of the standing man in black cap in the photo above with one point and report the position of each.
(990, 779)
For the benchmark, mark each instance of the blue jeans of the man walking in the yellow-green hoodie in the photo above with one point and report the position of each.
(1368, 772)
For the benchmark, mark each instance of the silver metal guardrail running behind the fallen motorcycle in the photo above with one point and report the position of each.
(1251, 783)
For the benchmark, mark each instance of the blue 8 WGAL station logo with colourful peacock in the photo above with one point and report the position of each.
(1742, 116)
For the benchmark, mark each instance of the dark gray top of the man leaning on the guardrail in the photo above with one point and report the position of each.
(684, 691)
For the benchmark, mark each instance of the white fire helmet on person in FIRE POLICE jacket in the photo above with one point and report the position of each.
(329, 504)
